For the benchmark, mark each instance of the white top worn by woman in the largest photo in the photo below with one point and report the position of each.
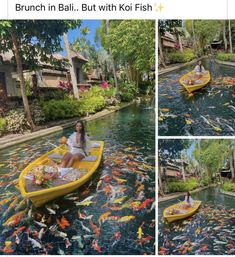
(76, 148)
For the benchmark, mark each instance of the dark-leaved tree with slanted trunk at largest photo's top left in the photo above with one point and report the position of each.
(33, 42)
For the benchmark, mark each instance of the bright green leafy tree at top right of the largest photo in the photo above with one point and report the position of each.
(132, 43)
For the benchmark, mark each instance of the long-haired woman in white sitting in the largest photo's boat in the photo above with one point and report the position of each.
(79, 144)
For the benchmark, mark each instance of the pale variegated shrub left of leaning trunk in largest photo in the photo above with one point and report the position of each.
(16, 121)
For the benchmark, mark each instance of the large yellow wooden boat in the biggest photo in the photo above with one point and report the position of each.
(39, 195)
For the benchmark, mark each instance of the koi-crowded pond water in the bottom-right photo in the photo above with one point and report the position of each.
(210, 231)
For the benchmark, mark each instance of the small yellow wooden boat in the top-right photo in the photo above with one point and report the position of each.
(191, 83)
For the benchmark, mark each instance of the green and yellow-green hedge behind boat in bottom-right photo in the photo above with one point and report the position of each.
(180, 186)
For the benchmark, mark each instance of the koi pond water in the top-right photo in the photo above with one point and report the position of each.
(208, 112)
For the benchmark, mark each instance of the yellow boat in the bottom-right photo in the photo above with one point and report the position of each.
(177, 212)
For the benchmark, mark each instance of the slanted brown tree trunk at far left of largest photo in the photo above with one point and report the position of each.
(22, 80)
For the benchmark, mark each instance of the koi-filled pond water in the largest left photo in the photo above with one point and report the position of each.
(123, 186)
